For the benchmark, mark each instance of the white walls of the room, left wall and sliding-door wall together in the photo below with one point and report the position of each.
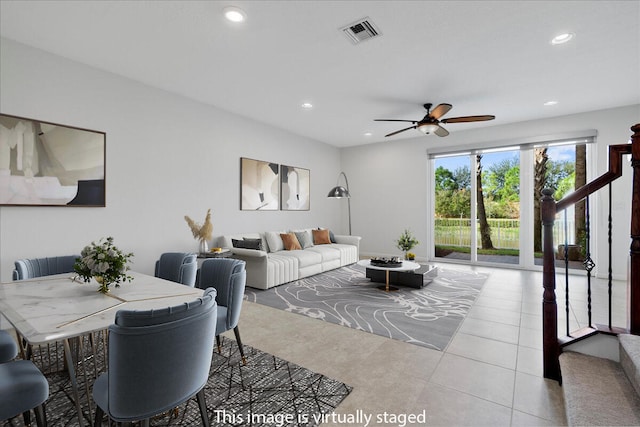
(168, 156)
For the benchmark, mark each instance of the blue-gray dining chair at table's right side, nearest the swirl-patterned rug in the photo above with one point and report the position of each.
(229, 277)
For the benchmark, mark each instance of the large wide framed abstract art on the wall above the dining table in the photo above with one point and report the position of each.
(49, 164)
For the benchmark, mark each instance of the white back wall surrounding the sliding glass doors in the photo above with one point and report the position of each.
(389, 183)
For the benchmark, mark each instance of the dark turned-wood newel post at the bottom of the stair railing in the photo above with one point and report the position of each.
(550, 346)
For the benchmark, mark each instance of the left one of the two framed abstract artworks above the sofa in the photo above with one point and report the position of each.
(259, 185)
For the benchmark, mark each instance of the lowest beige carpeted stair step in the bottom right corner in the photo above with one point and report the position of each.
(597, 392)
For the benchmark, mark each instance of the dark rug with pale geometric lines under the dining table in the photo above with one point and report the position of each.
(267, 392)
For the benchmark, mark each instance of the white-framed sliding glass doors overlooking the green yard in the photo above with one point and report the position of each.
(486, 202)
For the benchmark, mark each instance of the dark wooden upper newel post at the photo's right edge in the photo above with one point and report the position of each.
(634, 278)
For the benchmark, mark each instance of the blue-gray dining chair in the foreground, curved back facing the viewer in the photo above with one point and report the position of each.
(158, 359)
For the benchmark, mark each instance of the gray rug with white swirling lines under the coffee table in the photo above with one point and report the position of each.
(426, 317)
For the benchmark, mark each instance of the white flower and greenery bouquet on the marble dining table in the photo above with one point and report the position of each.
(103, 261)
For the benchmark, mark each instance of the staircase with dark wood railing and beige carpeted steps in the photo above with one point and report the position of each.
(597, 391)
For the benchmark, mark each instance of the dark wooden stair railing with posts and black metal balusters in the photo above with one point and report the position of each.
(549, 208)
